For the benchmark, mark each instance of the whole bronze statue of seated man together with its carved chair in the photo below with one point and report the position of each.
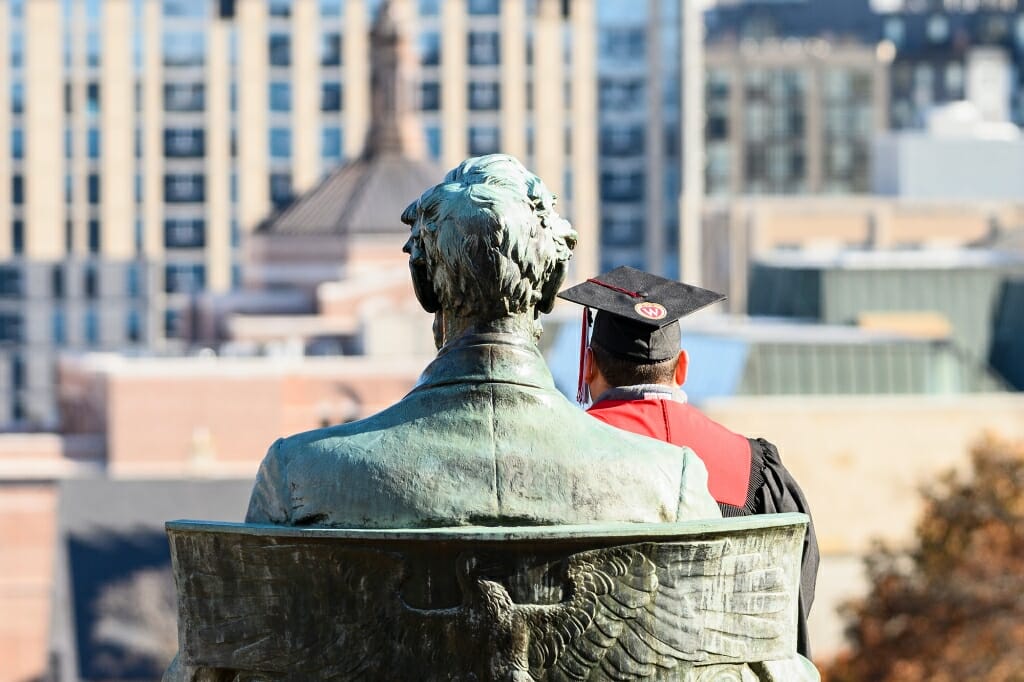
(560, 558)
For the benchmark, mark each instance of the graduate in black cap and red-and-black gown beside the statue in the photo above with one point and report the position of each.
(632, 364)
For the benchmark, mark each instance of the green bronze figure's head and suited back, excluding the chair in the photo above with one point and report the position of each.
(484, 439)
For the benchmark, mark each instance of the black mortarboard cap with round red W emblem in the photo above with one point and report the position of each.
(638, 313)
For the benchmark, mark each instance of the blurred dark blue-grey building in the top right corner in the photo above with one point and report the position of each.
(944, 51)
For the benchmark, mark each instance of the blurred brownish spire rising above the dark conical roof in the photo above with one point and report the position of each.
(395, 127)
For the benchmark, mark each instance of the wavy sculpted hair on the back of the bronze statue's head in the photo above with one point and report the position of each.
(490, 238)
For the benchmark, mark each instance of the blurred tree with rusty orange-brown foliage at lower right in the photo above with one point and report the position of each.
(953, 609)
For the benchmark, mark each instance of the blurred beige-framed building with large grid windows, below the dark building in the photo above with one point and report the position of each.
(794, 117)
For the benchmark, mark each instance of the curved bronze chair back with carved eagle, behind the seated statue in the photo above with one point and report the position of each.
(685, 603)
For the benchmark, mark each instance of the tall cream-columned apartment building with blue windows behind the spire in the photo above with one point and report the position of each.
(142, 141)
